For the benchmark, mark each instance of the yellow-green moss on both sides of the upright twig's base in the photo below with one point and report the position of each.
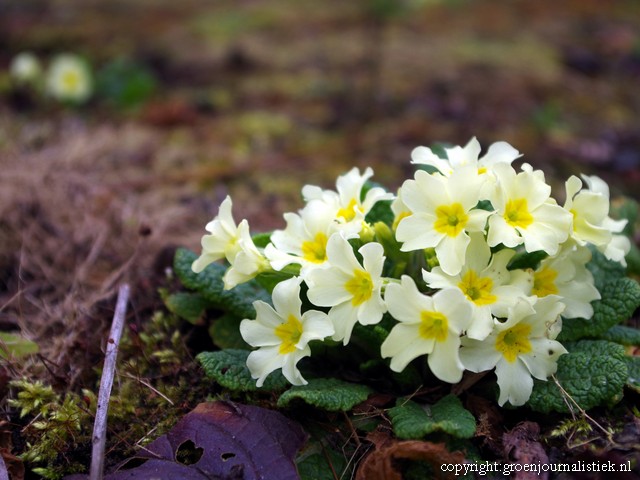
(147, 400)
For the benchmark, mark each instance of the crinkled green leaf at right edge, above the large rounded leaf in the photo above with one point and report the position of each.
(620, 298)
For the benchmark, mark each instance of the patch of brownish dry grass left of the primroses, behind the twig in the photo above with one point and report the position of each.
(73, 226)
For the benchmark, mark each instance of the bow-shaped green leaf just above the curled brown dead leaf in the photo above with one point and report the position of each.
(411, 420)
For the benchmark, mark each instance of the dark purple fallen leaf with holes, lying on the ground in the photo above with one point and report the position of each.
(221, 440)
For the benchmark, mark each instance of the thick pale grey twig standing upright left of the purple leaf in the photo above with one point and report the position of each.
(106, 382)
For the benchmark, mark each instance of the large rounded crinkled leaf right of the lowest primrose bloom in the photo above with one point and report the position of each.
(593, 373)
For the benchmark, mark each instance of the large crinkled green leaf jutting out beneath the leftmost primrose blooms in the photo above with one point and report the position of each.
(238, 300)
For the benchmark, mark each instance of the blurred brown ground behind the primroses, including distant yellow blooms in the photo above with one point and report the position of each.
(123, 124)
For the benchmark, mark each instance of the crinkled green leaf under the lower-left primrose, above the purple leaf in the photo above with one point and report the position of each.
(229, 369)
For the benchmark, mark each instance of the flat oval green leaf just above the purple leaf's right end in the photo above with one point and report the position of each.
(328, 394)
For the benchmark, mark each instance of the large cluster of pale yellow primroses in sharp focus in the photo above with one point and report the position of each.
(442, 266)
